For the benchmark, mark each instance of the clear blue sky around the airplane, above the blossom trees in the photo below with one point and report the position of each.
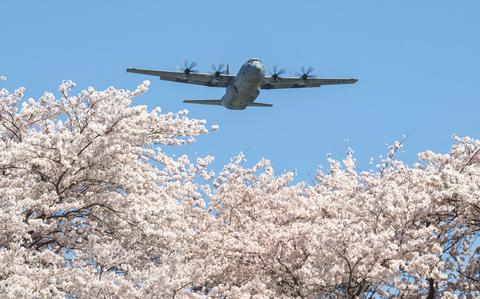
(418, 65)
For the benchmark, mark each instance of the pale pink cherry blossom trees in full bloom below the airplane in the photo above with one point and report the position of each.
(93, 207)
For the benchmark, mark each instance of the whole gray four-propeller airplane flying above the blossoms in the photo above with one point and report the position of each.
(241, 89)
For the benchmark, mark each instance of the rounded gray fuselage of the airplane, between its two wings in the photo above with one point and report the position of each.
(245, 88)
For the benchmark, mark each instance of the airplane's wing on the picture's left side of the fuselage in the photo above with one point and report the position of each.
(221, 80)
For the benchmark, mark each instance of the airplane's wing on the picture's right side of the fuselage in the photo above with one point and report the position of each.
(298, 82)
